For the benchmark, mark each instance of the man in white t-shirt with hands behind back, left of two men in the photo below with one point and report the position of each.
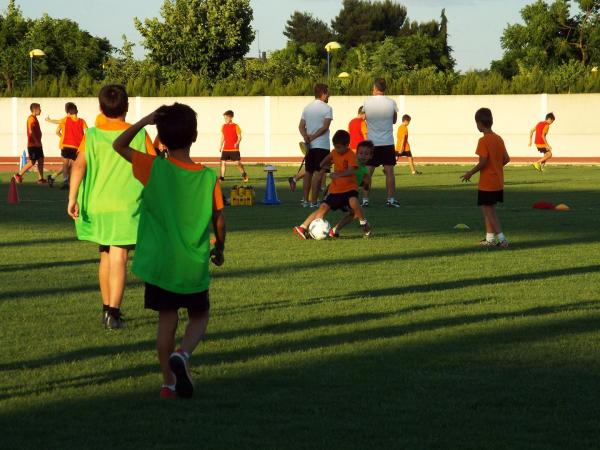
(314, 128)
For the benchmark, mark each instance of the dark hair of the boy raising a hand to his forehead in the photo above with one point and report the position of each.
(177, 126)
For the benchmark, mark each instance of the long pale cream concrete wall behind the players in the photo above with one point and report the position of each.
(442, 126)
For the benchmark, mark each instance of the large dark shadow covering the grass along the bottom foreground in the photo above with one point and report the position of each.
(439, 391)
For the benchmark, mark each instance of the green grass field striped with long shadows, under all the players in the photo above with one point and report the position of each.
(415, 338)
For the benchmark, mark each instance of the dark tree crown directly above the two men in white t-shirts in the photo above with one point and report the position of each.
(363, 21)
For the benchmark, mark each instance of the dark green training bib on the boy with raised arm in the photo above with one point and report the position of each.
(173, 244)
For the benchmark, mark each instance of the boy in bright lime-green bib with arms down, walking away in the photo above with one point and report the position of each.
(104, 199)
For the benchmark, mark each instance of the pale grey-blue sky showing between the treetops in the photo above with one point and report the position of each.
(475, 26)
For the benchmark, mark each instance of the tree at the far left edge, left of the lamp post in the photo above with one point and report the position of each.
(13, 57)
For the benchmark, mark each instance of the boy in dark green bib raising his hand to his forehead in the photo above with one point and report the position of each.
(180, 200)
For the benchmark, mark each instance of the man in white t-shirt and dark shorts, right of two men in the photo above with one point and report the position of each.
(381, 114)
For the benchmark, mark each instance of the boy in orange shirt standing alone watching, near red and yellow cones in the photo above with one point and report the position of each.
(492, 159)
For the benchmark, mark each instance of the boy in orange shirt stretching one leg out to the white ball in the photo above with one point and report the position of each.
(343, 191)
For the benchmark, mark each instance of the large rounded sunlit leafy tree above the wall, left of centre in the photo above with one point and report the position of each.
(198, 36)
